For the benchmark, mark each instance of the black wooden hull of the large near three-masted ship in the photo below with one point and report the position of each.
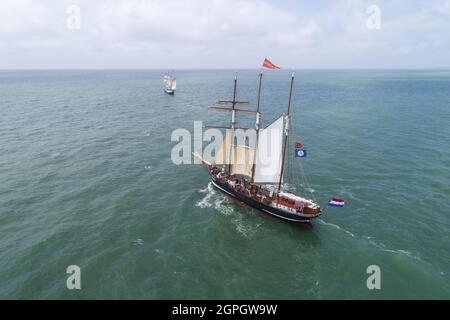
(280, 214)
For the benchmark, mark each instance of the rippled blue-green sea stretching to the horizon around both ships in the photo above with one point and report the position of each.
(86, 179)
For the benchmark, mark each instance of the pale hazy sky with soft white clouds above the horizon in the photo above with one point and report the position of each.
(223, 34)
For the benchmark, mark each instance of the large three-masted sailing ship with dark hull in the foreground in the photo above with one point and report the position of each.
(255, 175)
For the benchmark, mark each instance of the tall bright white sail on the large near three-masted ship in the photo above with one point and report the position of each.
(269, 153)
